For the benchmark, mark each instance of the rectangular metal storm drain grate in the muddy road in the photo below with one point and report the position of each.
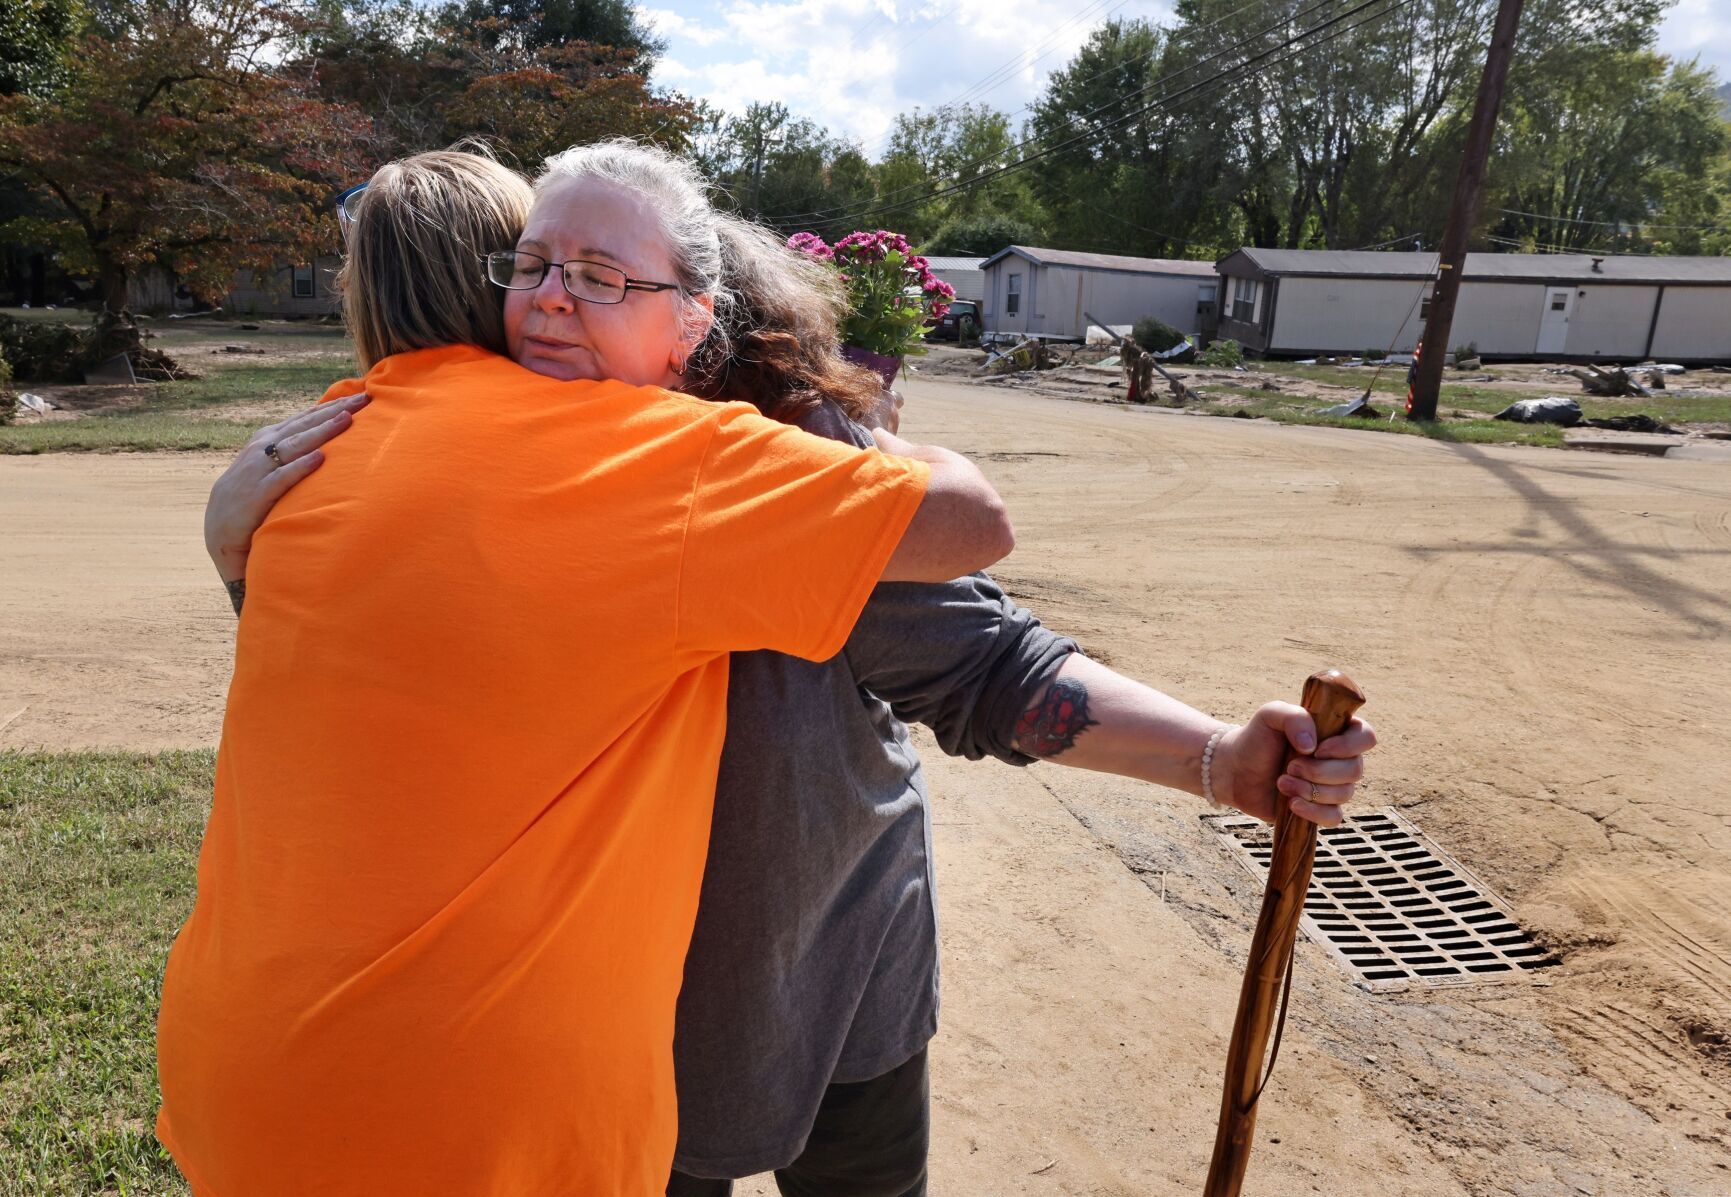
(1393, 907)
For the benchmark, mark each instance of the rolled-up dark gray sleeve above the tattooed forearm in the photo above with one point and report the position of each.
(960, 658)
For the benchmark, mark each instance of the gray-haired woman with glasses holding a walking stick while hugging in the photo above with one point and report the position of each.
(811, 983)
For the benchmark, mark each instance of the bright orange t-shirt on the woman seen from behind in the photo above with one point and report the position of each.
(463, 798)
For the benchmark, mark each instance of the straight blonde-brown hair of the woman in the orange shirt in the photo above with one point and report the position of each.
(415, 278)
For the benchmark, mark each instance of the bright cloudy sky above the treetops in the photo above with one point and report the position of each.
(854, 65)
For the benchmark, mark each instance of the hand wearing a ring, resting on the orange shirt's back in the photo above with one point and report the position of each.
(274, 459)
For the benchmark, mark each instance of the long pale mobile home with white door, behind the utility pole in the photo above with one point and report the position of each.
(1562, 307)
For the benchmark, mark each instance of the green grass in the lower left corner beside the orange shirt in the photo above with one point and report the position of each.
(100, 854)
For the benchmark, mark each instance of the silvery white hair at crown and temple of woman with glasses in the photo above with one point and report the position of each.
(690, 222)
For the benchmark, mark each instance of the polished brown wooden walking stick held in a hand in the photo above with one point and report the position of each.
(1330, 698)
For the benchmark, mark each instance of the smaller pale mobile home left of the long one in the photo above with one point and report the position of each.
(1052, 293)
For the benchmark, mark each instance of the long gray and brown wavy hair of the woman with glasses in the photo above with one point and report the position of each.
(775, 335)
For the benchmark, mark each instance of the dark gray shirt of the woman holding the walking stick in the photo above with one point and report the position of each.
(814, 959)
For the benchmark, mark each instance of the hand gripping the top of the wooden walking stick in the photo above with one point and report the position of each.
(1252, 774)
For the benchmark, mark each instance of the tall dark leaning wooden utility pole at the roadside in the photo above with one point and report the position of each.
(1462, 215)
